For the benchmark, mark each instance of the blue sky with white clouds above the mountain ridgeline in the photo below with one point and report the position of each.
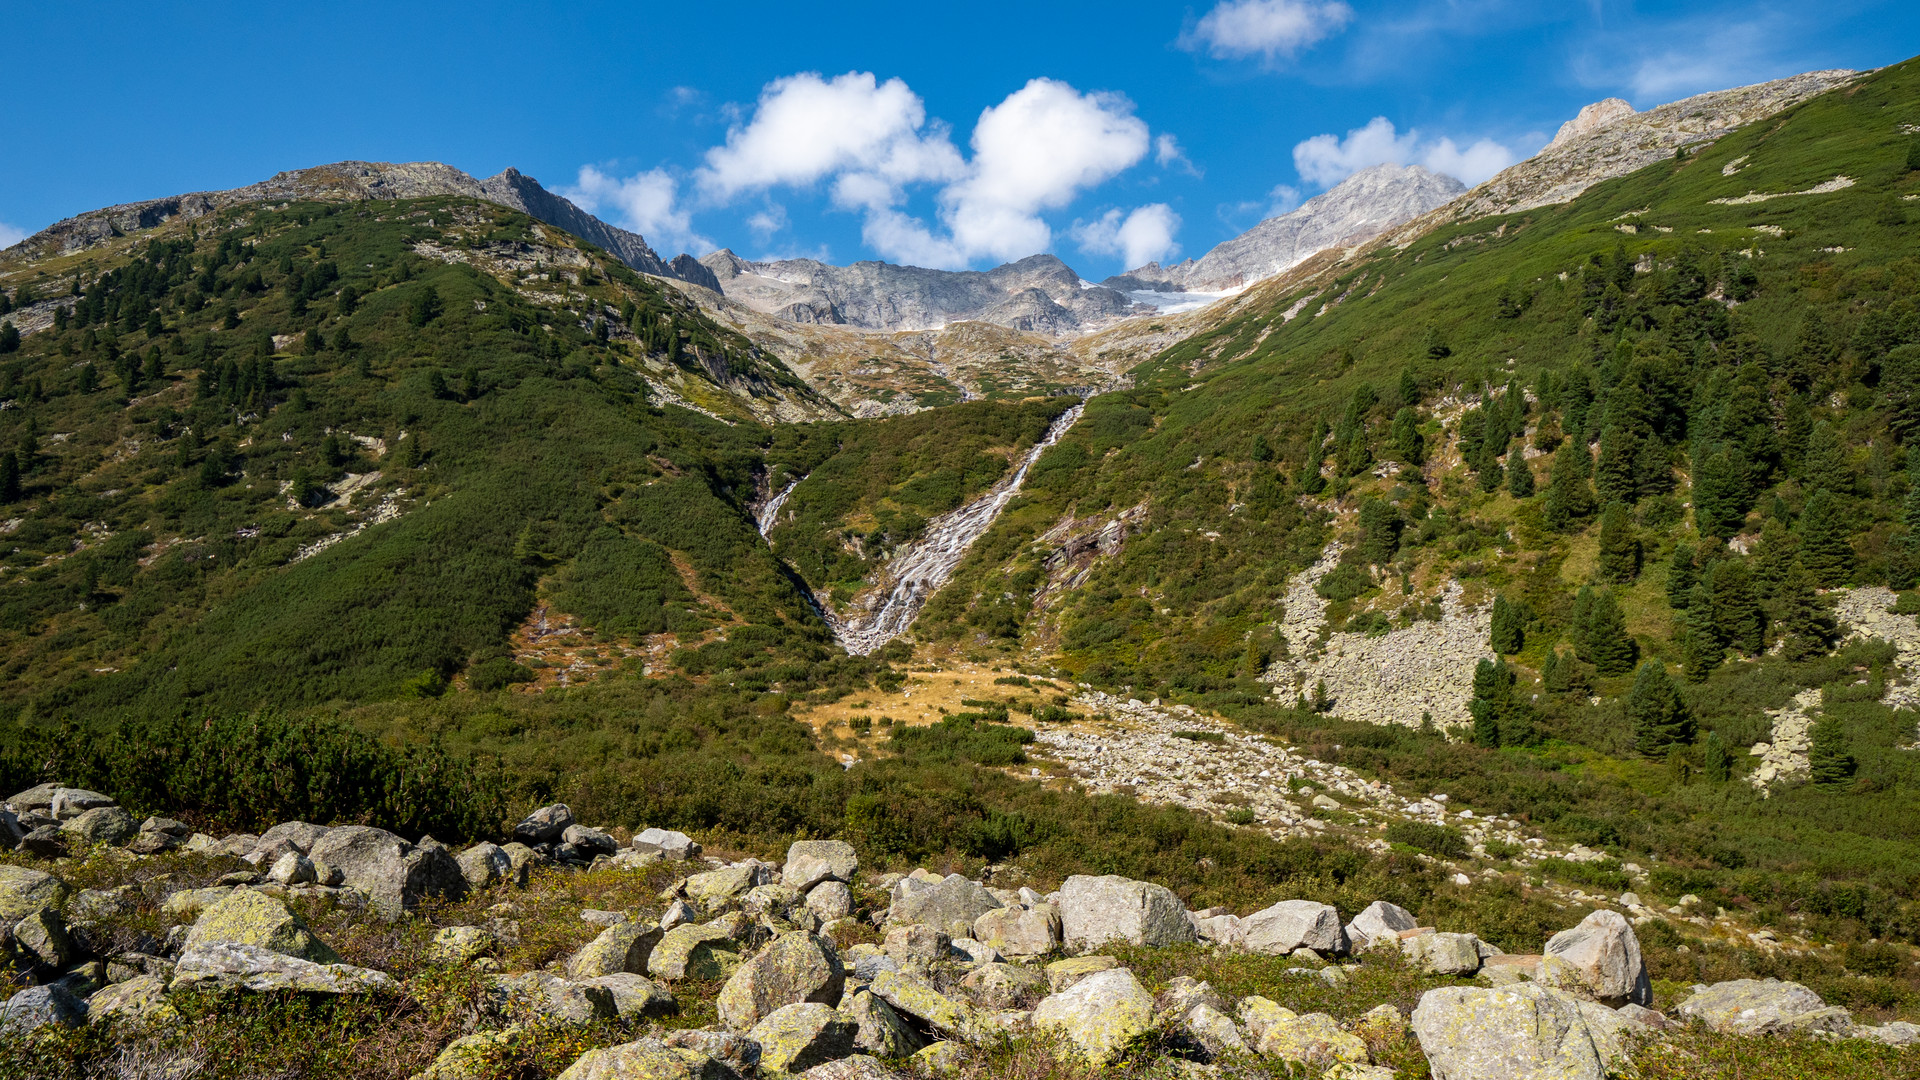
(928, 134)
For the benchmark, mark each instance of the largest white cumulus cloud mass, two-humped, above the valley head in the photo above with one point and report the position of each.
(873, 141)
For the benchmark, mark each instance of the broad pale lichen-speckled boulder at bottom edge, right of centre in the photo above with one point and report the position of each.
(1516, 1033)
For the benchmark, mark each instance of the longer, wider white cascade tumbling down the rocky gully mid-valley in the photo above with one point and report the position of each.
(919, 570)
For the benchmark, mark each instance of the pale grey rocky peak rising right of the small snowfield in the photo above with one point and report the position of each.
(1360, 207)
